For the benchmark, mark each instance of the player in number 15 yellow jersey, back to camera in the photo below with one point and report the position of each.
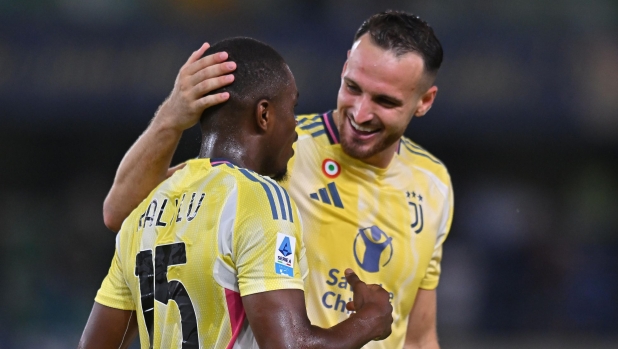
(214, 257)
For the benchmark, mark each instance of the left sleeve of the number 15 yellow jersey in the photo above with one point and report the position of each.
(114, 291)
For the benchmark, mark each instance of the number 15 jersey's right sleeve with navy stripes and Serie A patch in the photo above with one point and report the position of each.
(268, 249)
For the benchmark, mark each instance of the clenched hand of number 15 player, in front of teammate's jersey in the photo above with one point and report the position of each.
(372, 303)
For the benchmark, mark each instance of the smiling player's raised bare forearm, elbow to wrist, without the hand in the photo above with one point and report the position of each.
(143, 167)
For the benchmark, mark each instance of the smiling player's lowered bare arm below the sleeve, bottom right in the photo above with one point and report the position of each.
(422, 333)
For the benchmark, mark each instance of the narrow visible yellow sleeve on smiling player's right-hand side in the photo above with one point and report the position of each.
(432, 274)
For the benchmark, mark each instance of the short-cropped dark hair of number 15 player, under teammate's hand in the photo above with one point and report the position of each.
(260, 72)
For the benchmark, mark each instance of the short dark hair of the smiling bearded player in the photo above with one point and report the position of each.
(401, 33)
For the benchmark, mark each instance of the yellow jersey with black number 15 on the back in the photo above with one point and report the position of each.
(204, 238)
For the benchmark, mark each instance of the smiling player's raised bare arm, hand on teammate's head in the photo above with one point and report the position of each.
(146, 163)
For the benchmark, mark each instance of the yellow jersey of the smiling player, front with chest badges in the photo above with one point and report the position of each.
(388, 225)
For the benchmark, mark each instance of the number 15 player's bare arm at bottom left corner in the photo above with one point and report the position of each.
(109, 328)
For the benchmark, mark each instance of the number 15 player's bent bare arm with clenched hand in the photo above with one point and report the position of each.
(279, 319)
